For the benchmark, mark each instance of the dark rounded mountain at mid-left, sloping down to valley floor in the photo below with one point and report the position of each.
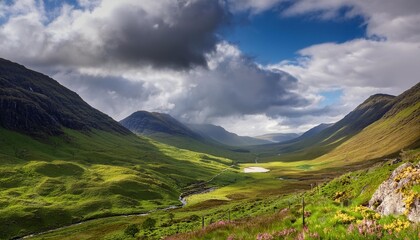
(166, 129)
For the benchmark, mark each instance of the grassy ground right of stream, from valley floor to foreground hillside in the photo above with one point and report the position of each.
(258, 203)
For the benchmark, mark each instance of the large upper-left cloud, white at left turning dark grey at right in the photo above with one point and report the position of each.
(164, 34)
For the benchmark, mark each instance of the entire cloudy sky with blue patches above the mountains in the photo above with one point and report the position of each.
(251, 66)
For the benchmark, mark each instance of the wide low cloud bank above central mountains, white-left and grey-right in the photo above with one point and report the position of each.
(232, 85)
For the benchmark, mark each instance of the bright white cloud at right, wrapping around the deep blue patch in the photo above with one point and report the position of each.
(361, 67)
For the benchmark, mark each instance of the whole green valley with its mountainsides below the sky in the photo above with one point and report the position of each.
(90, 177)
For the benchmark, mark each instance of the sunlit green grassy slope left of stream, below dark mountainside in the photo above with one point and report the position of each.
(61, 180)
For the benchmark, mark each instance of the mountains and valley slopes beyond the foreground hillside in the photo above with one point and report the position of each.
(65, 162)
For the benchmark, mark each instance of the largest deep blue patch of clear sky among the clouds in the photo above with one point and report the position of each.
(271, 38)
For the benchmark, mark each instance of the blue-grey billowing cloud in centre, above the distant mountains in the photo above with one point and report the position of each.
(238, 86)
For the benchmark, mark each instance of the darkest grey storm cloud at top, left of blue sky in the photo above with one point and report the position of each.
(136, 37)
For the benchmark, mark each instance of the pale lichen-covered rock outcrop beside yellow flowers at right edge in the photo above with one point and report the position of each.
(394, 196)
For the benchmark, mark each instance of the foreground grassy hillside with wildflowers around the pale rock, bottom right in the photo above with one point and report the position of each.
(326, 216)
